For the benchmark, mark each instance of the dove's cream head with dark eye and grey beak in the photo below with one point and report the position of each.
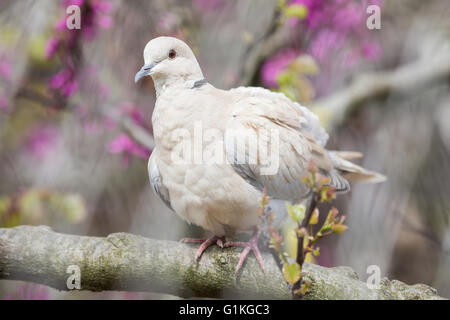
(169, 60)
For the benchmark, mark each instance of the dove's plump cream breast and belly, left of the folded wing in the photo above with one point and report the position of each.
(204, 189)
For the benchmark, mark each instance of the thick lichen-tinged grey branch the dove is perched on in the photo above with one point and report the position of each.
(128, 262)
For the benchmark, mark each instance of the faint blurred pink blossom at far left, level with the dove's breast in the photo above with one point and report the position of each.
(41, 140)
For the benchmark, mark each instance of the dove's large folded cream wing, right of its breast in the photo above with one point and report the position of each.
(270, 141)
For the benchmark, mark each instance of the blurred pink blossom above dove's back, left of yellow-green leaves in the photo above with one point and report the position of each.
(273, 66)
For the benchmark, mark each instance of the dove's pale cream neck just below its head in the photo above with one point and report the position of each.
(182, 80)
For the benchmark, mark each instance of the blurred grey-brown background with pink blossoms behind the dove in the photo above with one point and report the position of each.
(75, 131)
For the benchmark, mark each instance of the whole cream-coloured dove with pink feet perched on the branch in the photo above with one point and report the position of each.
(255, 139)
